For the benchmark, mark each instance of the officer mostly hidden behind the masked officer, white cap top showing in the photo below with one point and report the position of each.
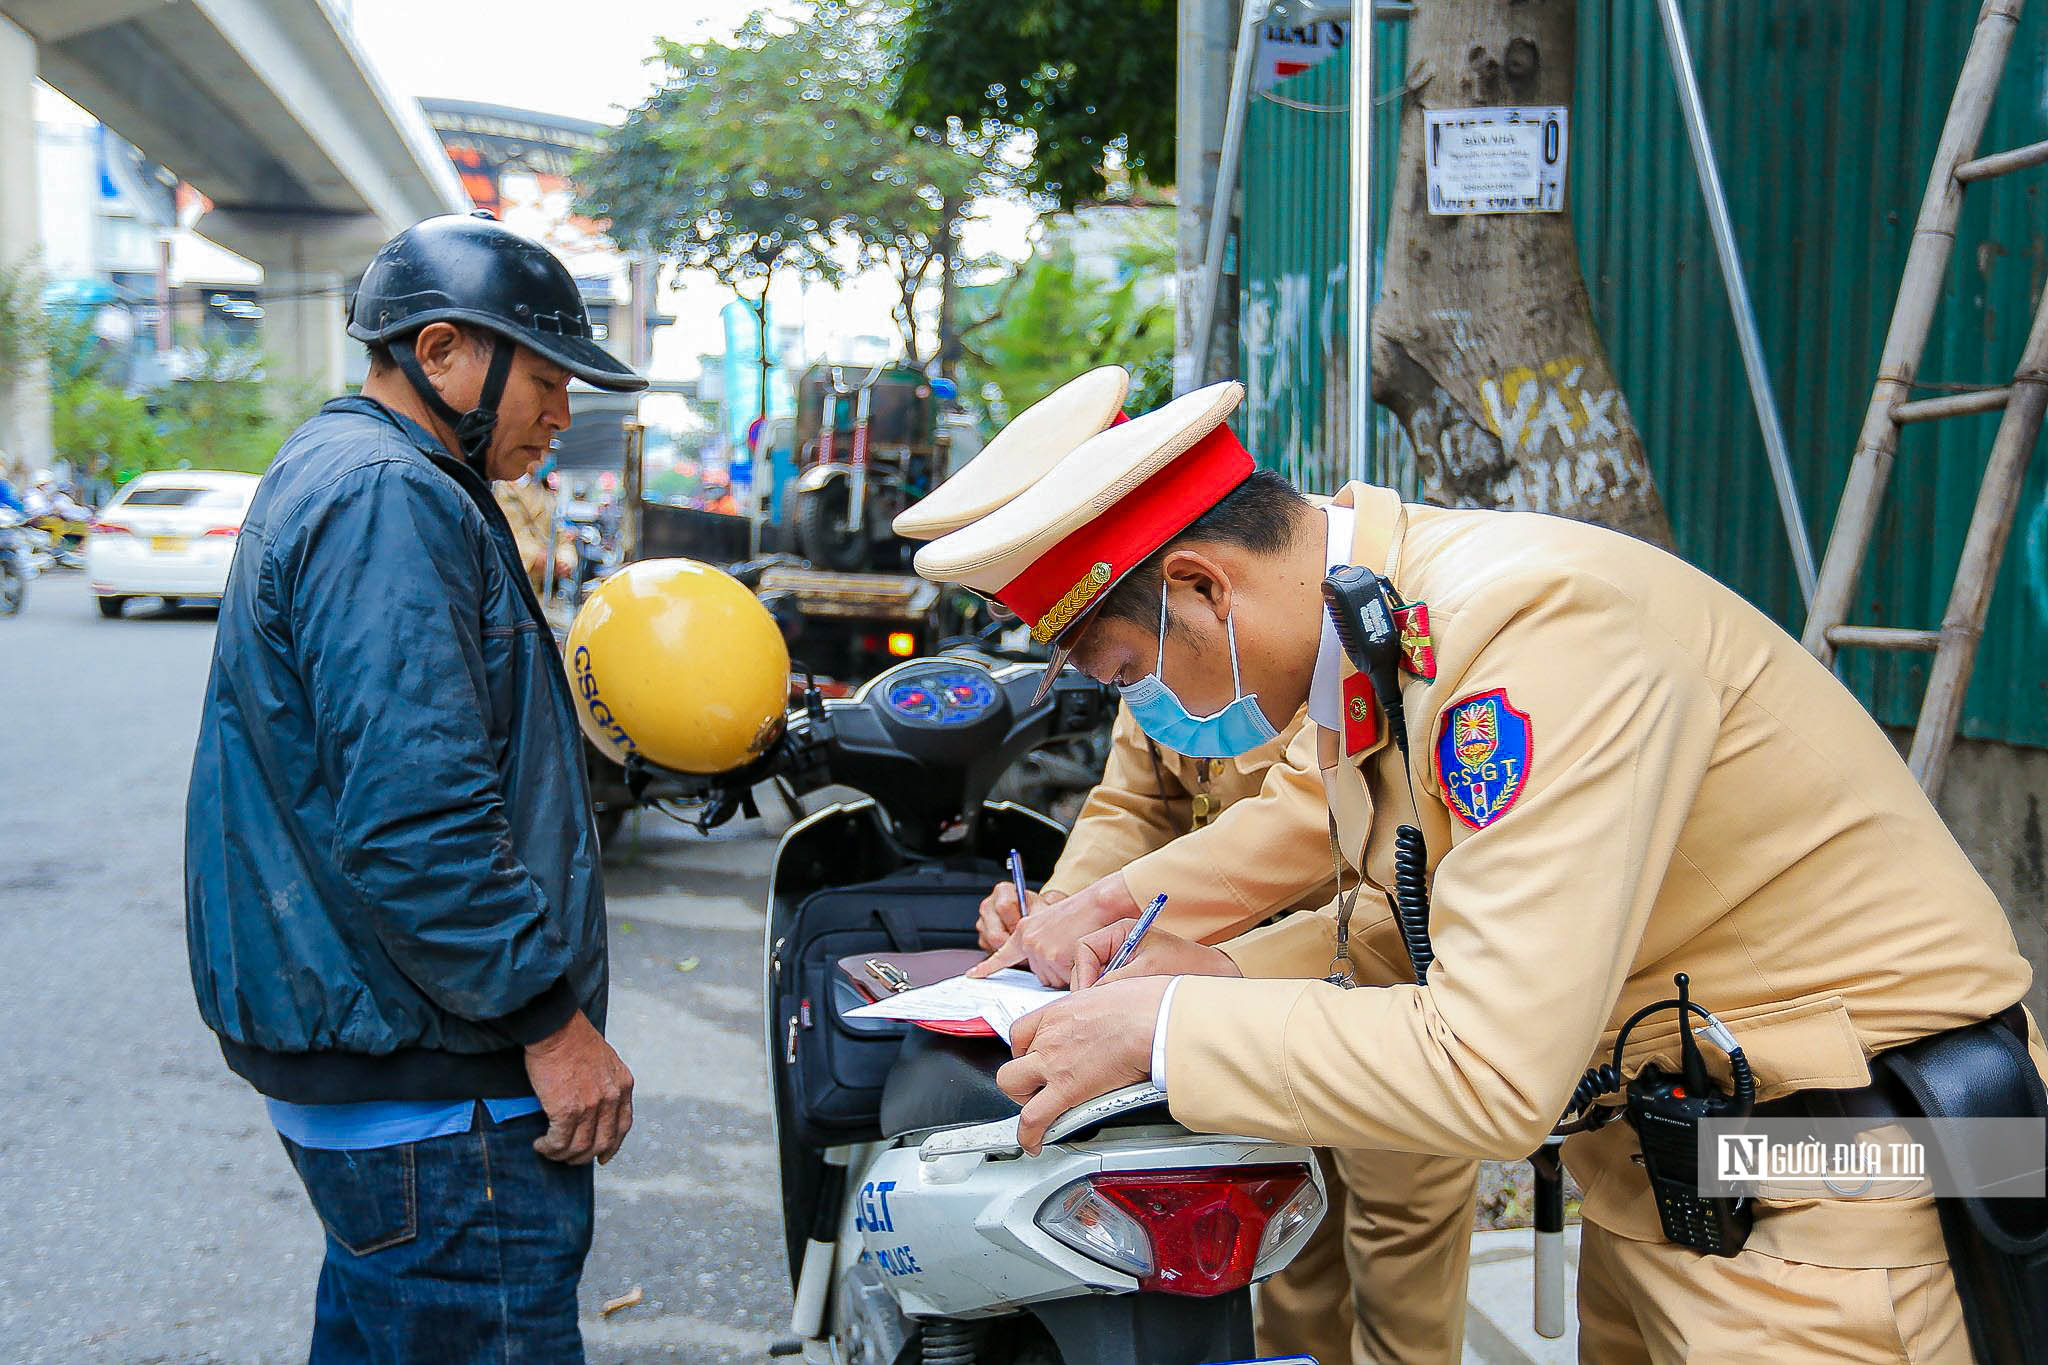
(1390, 1270)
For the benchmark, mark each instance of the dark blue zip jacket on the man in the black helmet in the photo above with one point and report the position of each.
(390, 865)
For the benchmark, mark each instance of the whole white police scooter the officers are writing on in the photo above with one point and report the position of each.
(916, 1227)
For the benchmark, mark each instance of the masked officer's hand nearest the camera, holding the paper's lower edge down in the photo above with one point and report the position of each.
(1089, 1045)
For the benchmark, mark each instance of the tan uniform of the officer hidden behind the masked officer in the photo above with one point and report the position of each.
(1234, 842)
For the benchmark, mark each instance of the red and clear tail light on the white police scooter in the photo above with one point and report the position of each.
(1191, 1233)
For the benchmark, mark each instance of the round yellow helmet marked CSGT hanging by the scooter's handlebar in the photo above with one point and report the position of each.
(681, 664)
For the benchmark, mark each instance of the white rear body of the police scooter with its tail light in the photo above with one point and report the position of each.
(1127, 1241)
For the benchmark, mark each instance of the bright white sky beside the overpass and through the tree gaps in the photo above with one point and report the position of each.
(546, 56)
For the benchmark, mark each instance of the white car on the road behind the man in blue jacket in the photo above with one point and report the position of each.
(169, 535)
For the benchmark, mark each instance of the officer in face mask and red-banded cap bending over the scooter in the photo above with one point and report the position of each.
(1621, 770)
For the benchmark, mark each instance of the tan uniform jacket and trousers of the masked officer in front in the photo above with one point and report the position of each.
(1699, 795)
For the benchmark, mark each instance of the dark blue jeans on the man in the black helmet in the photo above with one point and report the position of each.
(454, 1249)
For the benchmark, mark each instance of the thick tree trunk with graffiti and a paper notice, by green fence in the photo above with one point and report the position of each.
(1484, 343)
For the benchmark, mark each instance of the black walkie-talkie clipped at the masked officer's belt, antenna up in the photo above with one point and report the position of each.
(1666, 1110)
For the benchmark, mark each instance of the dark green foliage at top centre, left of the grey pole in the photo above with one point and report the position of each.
(1089, 81)
